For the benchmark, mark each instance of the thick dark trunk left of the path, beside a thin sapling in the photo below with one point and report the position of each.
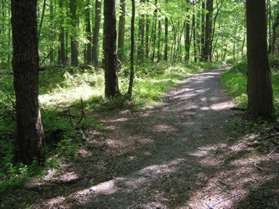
(110, 56)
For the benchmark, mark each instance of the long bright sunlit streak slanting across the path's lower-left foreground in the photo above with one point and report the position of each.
(116, 185)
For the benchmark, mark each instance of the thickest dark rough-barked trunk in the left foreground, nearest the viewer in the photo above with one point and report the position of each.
(29, 129)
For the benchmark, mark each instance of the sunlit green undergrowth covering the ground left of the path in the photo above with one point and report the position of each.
(69, 97)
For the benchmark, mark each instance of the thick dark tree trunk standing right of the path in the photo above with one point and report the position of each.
(260, 98)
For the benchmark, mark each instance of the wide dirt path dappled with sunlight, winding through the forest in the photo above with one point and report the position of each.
(189, 152)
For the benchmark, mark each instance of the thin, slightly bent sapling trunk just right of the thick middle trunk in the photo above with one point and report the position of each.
(132, 65)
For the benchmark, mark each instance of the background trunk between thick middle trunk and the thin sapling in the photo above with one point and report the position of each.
(121, 30)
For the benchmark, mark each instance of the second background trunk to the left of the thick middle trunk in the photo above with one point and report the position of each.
(88, 47)
